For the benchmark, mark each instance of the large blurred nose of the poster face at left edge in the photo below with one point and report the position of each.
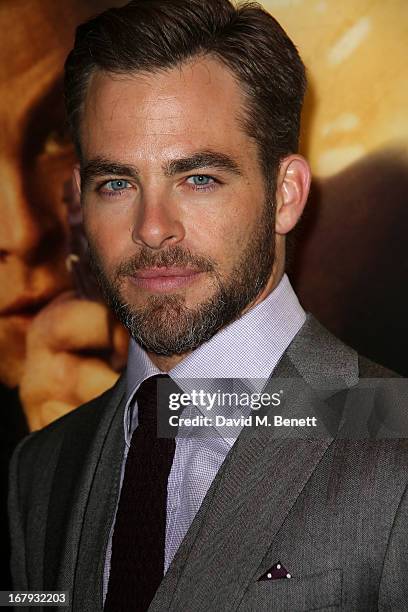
(26, 225)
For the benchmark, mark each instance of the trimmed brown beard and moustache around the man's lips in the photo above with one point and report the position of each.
(164, 325)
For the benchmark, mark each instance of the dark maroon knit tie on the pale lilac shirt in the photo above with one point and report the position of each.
(137, 563)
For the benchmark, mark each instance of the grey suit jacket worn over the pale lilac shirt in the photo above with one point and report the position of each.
(332, 508)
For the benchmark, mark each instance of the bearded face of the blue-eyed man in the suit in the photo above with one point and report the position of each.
(179, 221)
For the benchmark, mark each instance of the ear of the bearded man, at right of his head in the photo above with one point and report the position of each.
(292, 190)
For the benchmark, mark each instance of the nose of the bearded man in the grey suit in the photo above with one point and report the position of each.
(158, 222)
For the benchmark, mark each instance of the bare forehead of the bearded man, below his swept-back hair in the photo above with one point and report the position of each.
(198, 103)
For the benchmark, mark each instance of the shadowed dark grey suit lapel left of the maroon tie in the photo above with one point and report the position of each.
(79, 457)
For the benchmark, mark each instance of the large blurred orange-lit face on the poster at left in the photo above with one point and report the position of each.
(35, 161)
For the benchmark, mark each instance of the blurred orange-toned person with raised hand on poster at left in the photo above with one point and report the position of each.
(36, 157)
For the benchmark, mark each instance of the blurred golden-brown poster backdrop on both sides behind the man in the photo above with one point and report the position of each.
(349, 262)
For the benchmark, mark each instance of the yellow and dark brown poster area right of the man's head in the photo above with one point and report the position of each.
(350, 266)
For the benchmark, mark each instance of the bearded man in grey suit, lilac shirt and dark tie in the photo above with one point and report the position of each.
(186, 120)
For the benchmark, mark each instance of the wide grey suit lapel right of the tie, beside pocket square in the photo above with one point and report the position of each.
(259, 482)
